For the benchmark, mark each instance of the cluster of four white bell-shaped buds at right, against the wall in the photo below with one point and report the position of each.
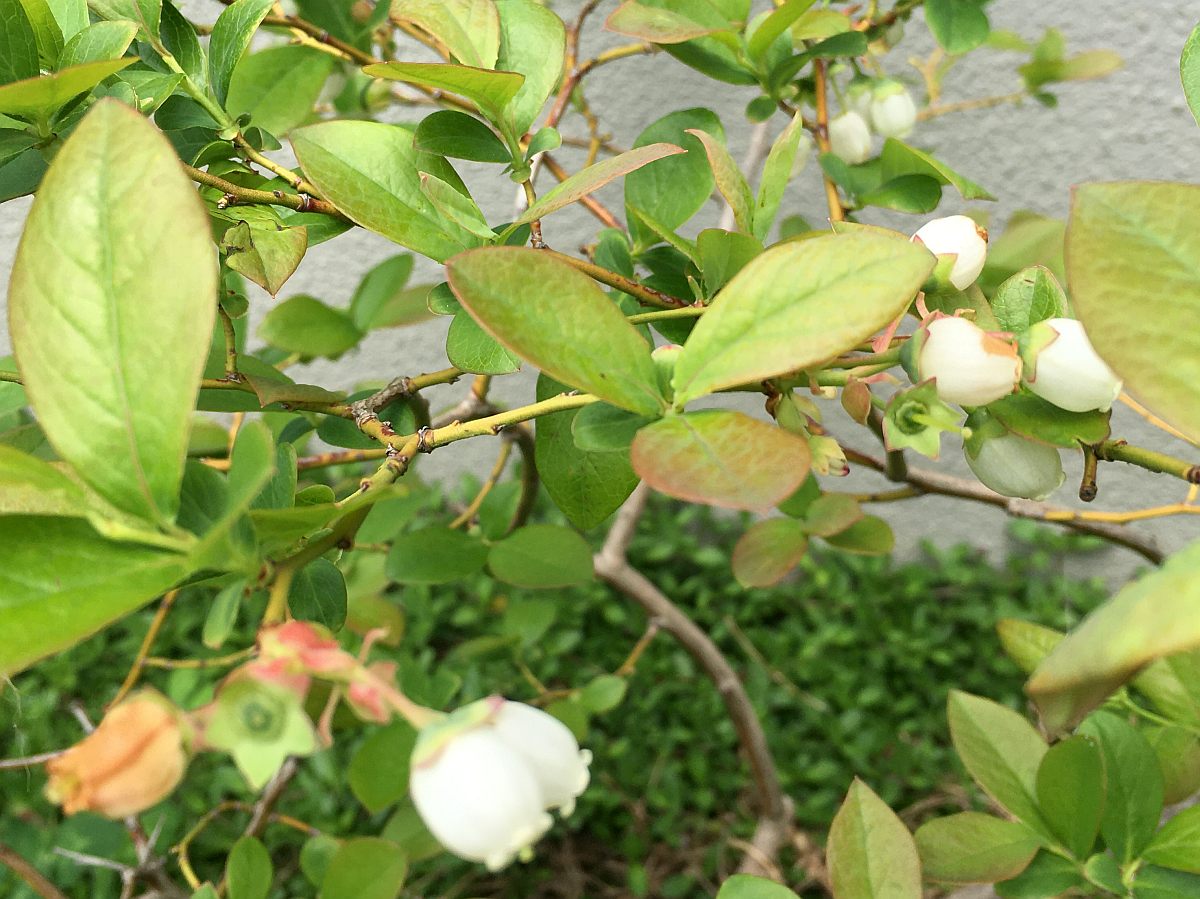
(1054, 359)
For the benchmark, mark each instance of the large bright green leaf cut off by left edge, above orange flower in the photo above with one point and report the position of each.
(52, 601)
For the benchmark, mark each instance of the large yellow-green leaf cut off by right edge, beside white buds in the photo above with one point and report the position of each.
(1132, 249)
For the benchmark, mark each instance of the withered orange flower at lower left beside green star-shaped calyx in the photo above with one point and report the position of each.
(130, 763)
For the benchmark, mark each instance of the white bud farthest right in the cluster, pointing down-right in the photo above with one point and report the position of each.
(1063, 368)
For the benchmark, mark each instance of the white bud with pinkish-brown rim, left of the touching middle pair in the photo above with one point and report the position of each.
(969, 367)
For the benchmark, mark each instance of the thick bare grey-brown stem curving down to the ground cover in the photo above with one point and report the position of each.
(613, 566)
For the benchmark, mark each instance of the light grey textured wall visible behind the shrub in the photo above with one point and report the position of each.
(1132, 125)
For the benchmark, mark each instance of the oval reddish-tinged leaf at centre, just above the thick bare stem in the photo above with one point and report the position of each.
(721, 458)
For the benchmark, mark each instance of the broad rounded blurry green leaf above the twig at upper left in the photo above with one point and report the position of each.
(279, 87)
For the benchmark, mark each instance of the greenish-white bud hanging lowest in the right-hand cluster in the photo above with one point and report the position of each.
(1011, 465)
